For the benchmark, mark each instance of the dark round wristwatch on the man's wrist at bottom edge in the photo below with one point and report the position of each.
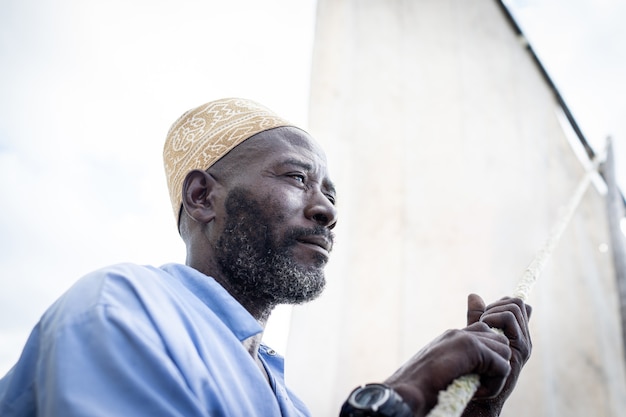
(375, 400)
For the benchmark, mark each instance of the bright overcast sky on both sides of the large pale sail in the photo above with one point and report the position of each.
(90, 87)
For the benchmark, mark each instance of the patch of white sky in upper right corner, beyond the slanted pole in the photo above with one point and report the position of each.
(582, 43)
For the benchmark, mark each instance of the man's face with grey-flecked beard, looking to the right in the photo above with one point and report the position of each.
(276, 234)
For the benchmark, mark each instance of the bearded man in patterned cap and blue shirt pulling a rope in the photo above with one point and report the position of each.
(255, 207)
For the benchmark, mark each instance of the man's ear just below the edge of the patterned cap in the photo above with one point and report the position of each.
(199, 190)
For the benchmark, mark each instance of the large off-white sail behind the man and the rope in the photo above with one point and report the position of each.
(451, 167)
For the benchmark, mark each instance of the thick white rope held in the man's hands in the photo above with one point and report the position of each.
(452, 401)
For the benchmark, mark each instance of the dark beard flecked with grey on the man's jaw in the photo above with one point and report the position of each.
(260, 269)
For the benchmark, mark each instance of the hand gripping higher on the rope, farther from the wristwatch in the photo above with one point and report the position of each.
(511, 316)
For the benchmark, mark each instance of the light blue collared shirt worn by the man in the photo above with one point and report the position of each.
(132, 340)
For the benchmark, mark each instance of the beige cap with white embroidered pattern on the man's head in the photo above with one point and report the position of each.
(203, 135)
